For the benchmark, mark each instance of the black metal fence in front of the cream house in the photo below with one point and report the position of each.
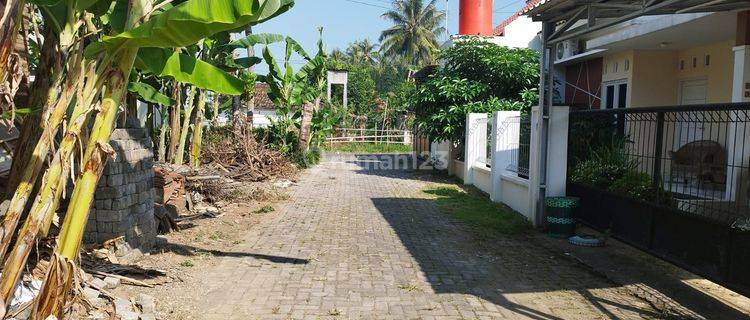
(671, 180)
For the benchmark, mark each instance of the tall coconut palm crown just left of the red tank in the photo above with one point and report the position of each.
(415, 30)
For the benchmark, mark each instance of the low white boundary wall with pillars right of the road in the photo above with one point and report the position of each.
(503, 185)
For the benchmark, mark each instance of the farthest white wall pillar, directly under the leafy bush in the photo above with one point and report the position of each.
(475, 145)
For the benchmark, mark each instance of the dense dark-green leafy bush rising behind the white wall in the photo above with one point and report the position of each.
(476, 77)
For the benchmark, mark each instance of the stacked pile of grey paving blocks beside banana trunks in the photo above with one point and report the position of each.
(124, 200)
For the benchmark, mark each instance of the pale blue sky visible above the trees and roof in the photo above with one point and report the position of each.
(345, 21)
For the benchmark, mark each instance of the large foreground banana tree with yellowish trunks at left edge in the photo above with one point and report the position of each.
(99, 75)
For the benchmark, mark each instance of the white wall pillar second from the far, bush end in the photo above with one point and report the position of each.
(506, 127)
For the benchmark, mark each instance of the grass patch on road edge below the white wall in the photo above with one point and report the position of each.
(476, 209)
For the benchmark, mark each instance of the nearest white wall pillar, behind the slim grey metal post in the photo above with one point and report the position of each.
(557, 157)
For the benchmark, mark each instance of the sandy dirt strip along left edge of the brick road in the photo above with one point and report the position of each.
(189, 255)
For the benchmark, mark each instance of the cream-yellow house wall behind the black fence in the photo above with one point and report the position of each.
(655, 80)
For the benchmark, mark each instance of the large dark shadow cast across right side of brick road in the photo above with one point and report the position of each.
(493, 267)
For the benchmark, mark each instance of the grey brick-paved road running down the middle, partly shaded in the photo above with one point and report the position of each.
(358, 243)
